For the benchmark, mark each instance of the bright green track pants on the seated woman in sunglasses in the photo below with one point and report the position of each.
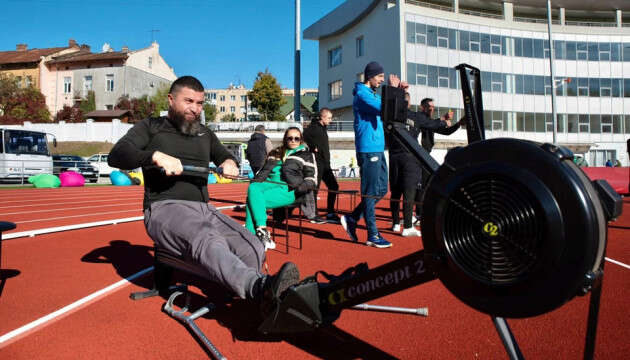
(262, 196)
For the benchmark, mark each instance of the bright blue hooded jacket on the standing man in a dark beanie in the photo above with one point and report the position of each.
(368, 127)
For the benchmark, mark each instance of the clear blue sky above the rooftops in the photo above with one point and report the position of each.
(220, 42)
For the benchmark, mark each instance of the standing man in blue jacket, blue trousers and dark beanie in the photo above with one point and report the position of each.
(369, 139)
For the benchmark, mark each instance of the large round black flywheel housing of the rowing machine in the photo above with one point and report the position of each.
(518, 227)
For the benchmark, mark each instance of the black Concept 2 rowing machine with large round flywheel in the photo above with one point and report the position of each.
(512, 228)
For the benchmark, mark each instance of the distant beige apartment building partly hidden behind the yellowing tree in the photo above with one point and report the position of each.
(233, 100)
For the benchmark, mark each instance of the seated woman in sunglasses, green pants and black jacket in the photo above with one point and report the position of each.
(289, 173)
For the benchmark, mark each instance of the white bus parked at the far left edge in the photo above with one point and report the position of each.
(24, 153)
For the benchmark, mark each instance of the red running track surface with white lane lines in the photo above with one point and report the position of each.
(60, 268)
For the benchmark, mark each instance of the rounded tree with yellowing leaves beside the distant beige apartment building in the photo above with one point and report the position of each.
(266, 96)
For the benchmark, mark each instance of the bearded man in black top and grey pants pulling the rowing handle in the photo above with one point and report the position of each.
(177, 215)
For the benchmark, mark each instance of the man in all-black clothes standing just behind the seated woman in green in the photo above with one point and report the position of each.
(316, 137)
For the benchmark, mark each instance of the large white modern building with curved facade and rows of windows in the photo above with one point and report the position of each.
(422, 41)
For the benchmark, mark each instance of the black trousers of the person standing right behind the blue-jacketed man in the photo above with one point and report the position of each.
(404, 179)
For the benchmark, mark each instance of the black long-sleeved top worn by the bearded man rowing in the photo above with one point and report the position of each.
(136, 149)
